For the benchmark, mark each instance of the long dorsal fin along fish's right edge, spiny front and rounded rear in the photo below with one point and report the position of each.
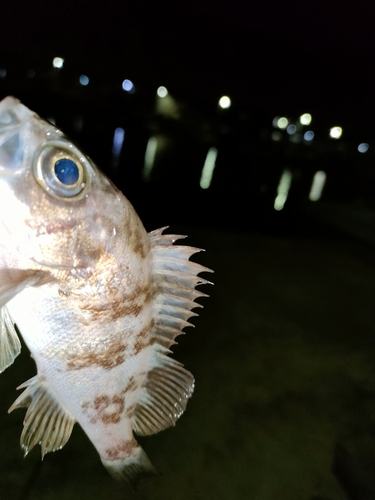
(168, 385)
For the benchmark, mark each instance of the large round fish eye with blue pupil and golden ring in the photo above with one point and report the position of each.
(61, 169)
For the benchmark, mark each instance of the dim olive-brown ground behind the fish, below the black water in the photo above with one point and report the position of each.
(284, 359)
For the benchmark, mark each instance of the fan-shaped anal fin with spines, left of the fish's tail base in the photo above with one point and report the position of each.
(46, 422)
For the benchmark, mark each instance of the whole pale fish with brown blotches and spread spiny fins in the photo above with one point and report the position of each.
(98, 301)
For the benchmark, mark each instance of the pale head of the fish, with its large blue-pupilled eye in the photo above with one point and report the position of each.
(56, 208)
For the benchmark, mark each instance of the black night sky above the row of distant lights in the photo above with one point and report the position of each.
(268, 54)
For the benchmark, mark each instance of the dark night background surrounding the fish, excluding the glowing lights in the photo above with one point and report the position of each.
(283, 353)
